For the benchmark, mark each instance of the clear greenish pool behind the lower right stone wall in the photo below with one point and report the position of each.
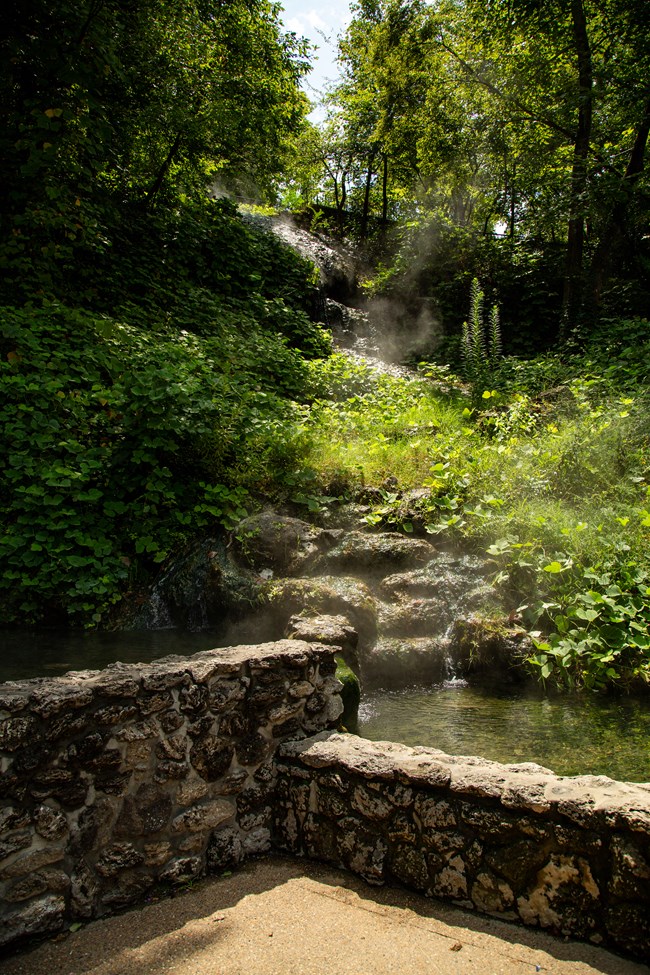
(572, 735)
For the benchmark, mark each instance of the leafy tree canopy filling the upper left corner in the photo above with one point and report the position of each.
(107, 101)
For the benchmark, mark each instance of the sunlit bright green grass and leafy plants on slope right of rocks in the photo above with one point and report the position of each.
(555, 491)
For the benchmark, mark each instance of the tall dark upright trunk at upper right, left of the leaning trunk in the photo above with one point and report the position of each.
(579, 174)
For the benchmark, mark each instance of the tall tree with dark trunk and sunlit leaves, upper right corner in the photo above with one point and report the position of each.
(562, 70)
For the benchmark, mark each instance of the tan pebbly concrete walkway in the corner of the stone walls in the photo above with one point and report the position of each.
(282, 916)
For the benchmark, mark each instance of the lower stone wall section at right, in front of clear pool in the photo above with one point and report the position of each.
(568, 854)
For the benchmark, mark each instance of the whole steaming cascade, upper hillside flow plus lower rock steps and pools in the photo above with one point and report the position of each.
(416, 625)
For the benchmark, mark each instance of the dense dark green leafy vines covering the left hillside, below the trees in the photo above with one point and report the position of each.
(126, 431)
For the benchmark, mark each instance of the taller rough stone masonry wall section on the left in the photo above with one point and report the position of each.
(115, 780)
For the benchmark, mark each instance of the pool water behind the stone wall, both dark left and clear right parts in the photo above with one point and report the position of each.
(572, 735)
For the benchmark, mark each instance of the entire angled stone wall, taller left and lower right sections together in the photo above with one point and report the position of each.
(115, 781)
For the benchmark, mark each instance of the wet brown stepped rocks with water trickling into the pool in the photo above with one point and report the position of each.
(399, 608)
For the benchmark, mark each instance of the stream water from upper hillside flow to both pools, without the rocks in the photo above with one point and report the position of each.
(570, 734)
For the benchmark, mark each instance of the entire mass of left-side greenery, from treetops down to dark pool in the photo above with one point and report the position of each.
(152, 341)
